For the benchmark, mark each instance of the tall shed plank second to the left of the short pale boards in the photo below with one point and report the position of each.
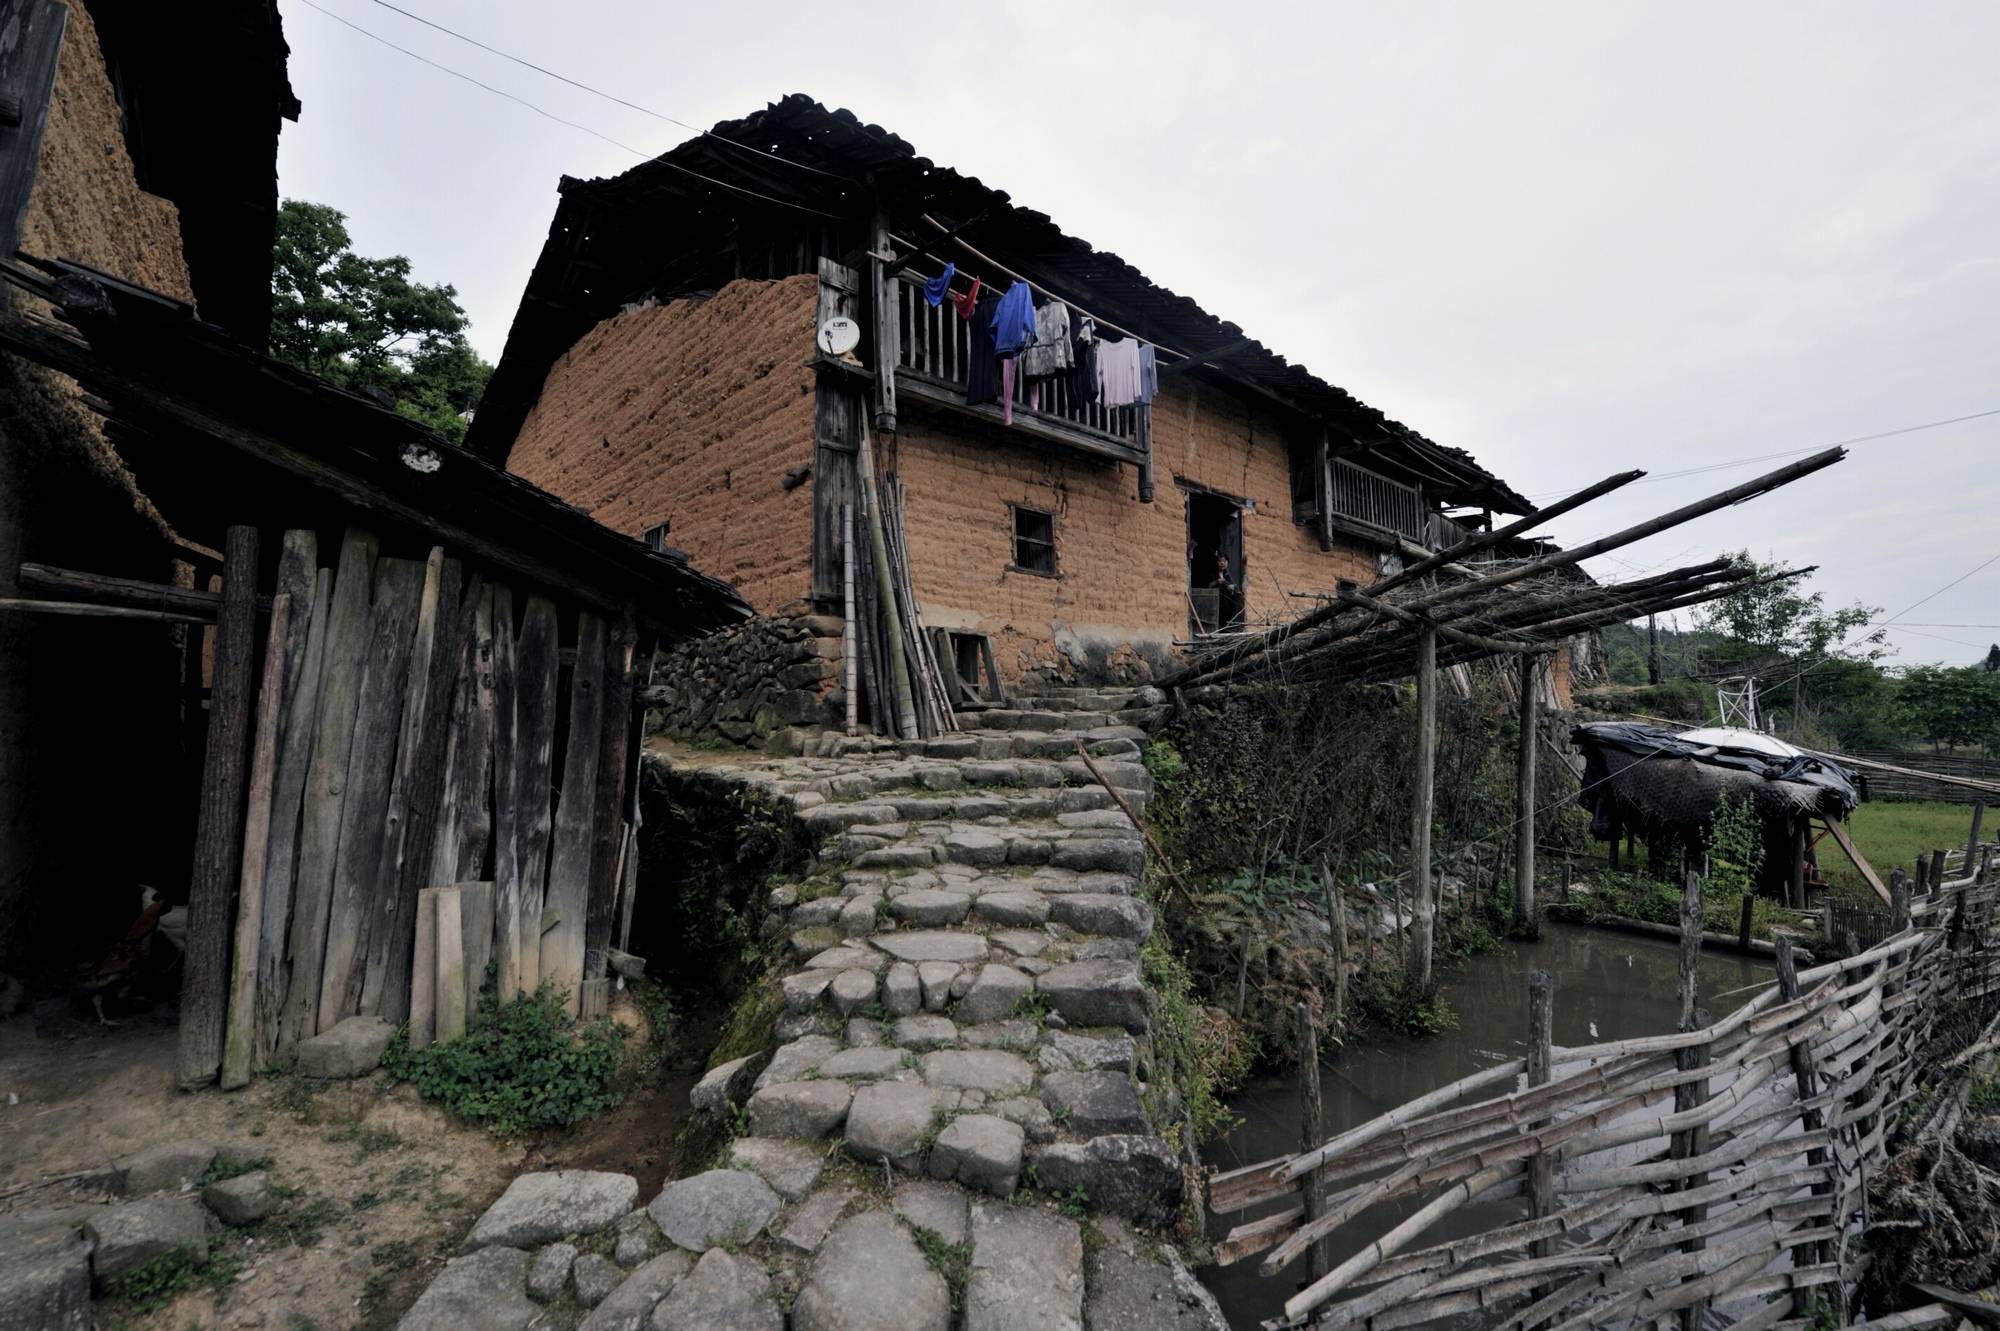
(371, 772)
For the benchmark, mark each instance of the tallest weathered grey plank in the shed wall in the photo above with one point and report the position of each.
(327, 778)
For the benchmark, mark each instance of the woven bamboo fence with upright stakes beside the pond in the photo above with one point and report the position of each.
(1715, 1176)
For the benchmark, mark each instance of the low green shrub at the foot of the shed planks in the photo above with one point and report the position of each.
(523, 1066)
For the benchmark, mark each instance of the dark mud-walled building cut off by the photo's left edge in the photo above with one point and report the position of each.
(139, 139)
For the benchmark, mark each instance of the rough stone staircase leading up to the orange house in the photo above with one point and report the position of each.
(959, 1096)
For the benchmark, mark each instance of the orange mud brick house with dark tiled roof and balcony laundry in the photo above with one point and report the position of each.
(665, 375)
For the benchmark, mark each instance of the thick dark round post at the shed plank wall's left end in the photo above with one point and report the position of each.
(219, 834)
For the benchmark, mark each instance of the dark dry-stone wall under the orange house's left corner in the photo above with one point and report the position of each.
(749, 682)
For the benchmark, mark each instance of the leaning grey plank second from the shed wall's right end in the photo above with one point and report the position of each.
(569, 868)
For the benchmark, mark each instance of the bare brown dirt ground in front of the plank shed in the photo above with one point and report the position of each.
(379, 1186)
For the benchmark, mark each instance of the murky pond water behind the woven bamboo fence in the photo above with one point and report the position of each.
(1609, 986)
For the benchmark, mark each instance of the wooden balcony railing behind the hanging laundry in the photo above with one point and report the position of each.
(935, 353)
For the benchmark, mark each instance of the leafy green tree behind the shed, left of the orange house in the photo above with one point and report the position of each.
(363, 323)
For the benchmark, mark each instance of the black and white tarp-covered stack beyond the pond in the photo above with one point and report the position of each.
(1665, 782)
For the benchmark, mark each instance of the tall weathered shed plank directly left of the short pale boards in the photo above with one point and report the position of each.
(383, 894)
